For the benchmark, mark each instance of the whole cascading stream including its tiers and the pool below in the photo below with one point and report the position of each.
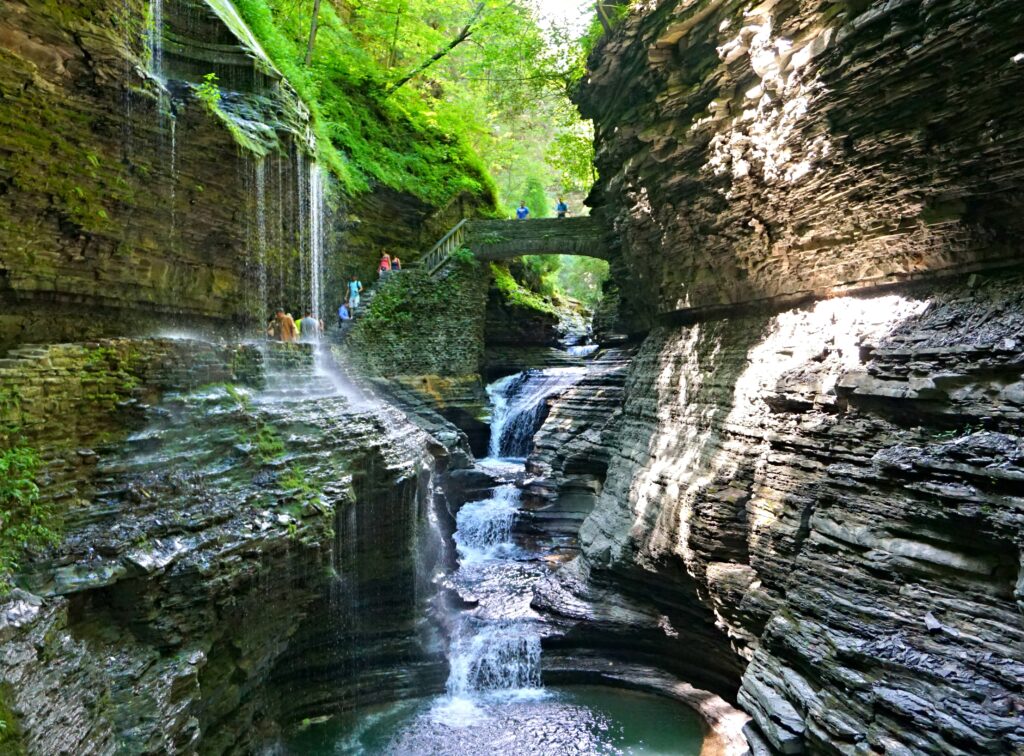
(495, 700)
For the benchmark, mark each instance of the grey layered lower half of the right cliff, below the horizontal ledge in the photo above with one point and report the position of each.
(830, 499)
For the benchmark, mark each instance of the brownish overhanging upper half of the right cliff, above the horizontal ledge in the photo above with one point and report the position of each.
(800, 148)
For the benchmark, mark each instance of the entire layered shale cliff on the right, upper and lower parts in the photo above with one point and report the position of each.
(810, 501)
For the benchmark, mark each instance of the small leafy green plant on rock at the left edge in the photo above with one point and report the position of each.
(26, 521)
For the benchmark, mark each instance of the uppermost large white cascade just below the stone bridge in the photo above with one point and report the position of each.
(520, 404)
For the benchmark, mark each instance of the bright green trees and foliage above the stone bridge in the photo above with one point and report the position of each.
(437, 97)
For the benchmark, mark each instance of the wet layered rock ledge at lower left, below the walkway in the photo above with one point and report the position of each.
(215, 505)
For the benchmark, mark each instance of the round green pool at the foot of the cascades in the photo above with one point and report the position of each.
(575, 720)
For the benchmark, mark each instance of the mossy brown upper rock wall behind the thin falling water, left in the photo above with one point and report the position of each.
(131, 207)
